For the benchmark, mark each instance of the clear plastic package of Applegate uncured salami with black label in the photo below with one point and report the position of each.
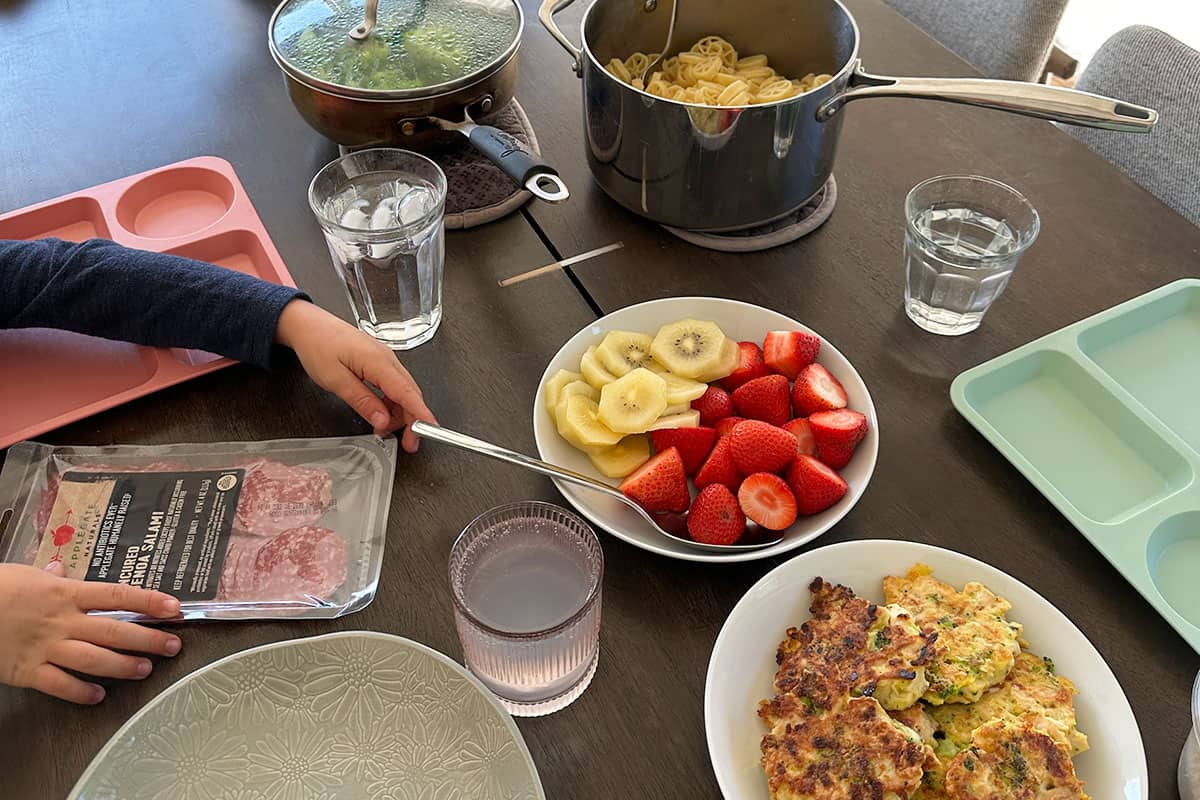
(283, 530)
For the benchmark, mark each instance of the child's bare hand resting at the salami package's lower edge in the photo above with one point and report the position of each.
(45, 629)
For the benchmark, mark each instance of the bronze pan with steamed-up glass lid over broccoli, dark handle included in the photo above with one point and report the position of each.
(409, 74)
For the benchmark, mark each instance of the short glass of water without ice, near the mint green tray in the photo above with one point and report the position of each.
(964, 238)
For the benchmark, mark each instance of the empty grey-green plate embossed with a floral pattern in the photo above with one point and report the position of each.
(358, 715)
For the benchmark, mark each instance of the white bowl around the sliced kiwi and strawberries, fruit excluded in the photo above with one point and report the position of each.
(743, 323)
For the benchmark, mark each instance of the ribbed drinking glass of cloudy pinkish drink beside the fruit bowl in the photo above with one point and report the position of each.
(526, 584)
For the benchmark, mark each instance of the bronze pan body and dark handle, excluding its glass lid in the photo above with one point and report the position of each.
(422, 119)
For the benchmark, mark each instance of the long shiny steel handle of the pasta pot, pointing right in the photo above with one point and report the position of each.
(1018, 98)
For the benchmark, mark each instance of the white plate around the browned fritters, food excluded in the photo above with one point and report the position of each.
(743, 664)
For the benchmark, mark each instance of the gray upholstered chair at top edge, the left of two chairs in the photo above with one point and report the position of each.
(1003, 39)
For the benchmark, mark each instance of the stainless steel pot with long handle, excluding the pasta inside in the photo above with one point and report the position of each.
(729, 169)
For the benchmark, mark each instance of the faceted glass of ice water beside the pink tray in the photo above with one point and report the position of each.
(382, 214)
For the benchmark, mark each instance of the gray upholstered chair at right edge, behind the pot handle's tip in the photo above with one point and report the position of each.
(1144, 65)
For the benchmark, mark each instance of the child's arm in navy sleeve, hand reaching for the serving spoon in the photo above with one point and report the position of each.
(104, 290)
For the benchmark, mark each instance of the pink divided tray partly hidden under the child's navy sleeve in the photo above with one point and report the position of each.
(196, 208)
